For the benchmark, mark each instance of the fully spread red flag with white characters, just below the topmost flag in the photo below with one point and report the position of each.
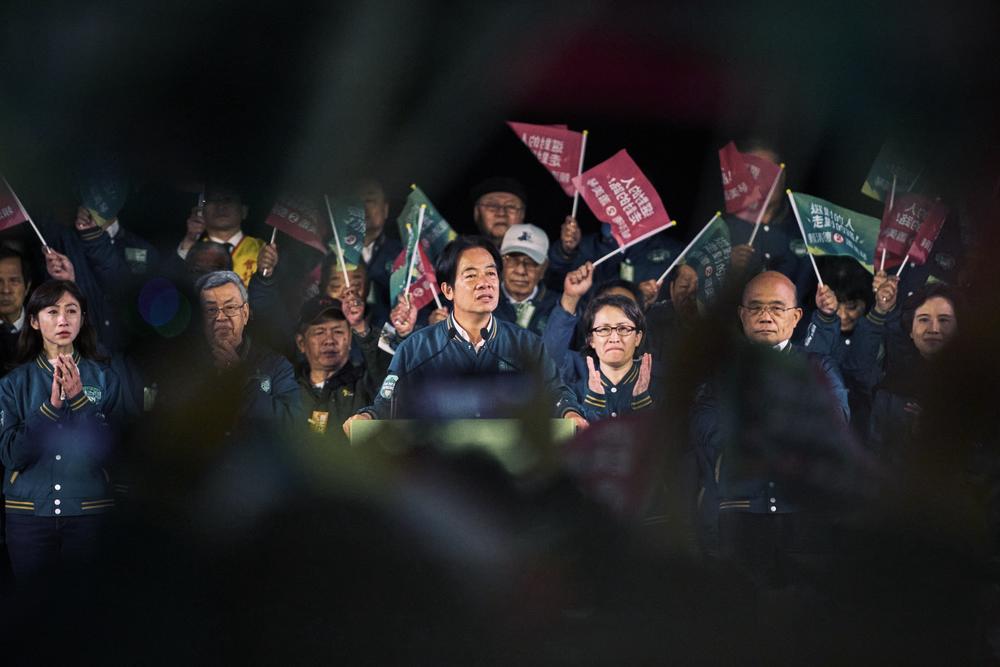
(619, 194)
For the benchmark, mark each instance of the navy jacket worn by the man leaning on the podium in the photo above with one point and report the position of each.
(438, 351)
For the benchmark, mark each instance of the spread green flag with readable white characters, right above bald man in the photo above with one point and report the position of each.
(829, 229)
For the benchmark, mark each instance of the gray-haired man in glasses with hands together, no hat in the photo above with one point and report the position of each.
(267, 380)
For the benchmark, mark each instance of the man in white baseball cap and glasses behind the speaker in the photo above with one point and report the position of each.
(526, 300)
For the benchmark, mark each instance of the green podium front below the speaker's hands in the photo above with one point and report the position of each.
(517, 444)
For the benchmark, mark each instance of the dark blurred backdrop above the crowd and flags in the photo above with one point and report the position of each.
(311, 95)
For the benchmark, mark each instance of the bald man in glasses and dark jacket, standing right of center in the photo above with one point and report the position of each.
(760, 429)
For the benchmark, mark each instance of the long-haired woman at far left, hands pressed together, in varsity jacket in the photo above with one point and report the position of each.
(55, 437)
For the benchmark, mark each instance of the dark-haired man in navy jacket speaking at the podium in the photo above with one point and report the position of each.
(470, 341)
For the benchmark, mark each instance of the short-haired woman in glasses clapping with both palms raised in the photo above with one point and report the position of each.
(616, 381)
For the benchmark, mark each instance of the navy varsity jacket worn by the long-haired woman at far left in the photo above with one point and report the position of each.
(56, 460)
